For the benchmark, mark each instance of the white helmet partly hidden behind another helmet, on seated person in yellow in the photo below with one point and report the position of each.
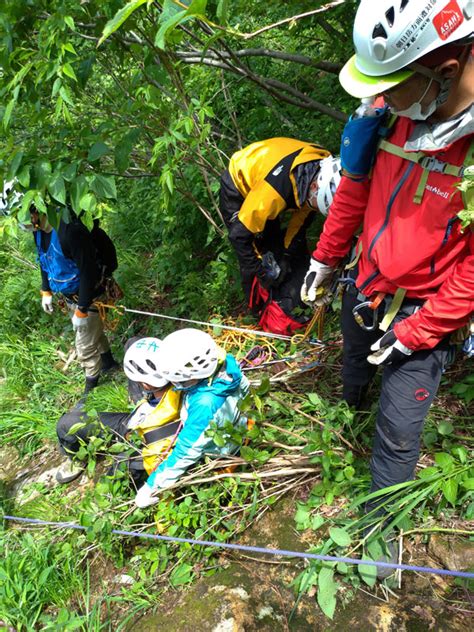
(140, 362)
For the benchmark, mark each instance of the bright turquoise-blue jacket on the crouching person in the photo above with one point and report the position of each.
(202, 405)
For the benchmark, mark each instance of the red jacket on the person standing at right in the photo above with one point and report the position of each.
(417, 247)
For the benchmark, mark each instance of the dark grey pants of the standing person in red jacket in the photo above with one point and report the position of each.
(407, 392)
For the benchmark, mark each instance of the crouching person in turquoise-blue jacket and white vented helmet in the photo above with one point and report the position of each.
(212, 385)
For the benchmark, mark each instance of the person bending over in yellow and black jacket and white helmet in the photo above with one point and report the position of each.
(263, 180)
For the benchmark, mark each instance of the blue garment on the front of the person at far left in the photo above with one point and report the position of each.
(62, 272)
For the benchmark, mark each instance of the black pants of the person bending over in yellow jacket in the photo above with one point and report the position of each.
(272, 238)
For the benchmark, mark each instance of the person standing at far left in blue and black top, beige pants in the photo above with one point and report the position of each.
(77, 263)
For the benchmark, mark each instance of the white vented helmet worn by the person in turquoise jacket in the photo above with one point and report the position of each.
(188, 354)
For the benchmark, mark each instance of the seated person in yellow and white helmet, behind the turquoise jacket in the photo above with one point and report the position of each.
(155, 419)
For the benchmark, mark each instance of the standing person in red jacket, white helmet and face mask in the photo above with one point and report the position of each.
(412, 278)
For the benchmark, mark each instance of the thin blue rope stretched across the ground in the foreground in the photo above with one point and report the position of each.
(253, 549)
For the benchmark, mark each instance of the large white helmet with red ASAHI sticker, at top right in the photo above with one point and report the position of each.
(389, 35)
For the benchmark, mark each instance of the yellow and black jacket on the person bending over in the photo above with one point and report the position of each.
(264, 175)
